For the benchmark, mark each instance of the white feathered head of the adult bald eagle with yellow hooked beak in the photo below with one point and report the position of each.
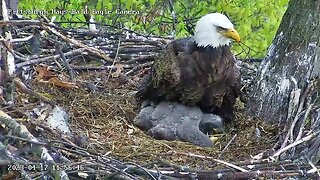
(215, 30)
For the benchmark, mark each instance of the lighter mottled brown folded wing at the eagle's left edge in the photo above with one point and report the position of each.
(164, 76)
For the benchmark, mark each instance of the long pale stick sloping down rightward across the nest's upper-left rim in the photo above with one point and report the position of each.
(79, 44)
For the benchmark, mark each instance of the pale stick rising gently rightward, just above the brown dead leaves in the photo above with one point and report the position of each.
(38, 60)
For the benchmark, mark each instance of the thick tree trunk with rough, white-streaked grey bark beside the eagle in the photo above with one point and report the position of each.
(292, 63)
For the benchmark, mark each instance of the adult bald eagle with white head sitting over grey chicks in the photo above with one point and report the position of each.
(199, 70)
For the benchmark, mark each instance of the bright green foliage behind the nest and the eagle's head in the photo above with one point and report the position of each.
(256, 21)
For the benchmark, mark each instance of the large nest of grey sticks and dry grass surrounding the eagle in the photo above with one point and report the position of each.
(103, 141)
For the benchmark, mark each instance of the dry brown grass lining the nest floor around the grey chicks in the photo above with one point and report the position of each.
(106, 118)
